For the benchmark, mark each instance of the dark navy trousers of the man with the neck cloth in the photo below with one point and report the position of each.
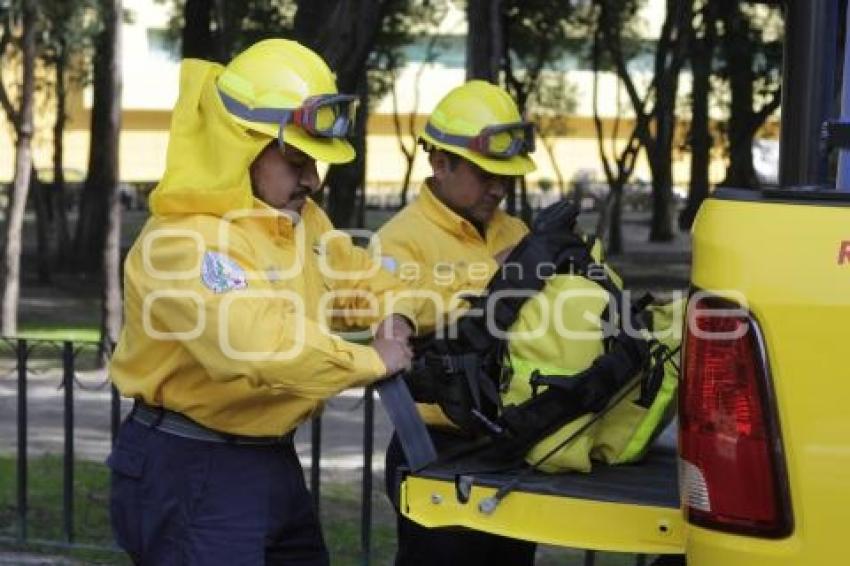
(176, 501)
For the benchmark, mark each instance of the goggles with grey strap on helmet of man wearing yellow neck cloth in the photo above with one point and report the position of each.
(323, 115)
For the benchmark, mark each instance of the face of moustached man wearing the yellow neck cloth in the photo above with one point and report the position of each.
(284, 178)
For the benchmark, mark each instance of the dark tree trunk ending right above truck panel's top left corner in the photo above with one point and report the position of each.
(701, 140)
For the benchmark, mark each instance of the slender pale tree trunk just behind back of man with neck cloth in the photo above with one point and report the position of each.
(111, 258)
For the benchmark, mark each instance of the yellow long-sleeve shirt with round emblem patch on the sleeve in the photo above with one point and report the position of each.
(249, 352)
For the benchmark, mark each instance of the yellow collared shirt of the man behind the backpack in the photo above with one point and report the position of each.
(432, 247)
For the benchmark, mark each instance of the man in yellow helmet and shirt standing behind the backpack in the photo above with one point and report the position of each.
(450, 241)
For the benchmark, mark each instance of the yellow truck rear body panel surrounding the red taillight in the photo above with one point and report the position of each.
(783, 257)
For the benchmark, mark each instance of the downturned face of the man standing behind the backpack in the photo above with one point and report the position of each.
(467, 189)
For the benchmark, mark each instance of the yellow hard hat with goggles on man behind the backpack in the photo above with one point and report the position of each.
(481, 123)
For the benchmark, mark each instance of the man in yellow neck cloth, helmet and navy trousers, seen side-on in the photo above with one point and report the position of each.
(230, 291)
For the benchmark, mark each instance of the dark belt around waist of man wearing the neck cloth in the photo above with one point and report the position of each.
(171, 422)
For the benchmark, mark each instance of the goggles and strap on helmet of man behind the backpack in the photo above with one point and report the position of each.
(499, 141)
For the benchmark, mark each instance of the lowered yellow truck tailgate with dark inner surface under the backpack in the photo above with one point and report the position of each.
(632, 508)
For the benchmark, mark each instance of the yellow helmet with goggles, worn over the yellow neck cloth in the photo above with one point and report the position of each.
(282, 89)
